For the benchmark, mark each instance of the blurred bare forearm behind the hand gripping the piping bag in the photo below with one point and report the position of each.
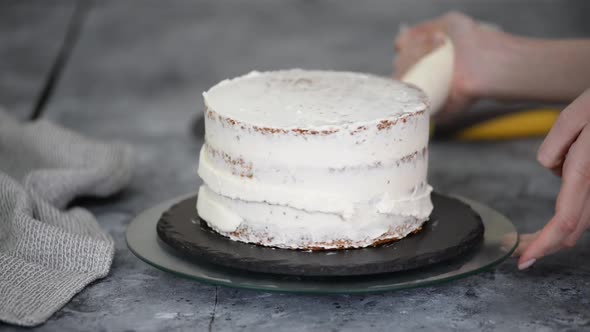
(535, 69)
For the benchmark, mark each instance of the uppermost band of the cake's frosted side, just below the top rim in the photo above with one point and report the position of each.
(336, 147)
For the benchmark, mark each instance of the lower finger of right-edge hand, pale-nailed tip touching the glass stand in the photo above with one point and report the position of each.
(568, 223)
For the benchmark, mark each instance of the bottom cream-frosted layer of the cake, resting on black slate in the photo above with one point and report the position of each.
(286, 227)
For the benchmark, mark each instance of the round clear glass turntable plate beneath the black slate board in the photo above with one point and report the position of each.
(500, 240)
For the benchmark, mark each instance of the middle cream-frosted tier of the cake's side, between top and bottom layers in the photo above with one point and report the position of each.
(394, 185)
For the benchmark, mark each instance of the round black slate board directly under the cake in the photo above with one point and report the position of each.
(453, 230)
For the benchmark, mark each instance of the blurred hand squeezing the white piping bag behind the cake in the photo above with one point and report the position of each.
(472, 59)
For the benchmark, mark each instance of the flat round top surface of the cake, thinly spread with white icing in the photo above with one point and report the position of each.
(310, 99)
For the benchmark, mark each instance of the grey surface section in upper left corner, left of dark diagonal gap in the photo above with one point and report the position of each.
(31, 34)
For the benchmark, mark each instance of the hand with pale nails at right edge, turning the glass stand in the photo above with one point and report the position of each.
(565, 152)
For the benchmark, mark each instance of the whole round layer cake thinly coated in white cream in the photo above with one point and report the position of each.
(304, 159)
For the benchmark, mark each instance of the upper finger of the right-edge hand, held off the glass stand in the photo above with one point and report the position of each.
(564, 132)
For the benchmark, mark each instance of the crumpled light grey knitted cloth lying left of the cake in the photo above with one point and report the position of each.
(48, 253)
